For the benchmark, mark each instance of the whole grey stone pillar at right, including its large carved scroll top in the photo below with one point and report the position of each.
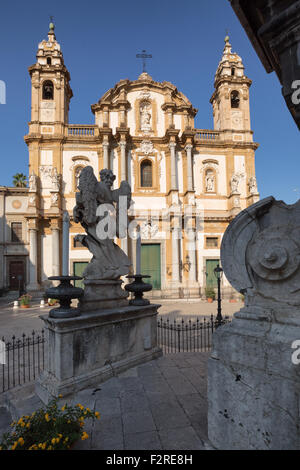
(253, 373)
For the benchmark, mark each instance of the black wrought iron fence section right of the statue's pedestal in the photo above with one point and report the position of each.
(175, 336)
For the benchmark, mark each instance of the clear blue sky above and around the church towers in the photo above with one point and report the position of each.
(100, 41)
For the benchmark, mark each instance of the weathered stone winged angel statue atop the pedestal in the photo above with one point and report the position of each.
(109, 261)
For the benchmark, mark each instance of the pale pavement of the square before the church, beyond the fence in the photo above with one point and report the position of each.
(16, 322)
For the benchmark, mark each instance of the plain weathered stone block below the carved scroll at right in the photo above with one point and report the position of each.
(253, 385)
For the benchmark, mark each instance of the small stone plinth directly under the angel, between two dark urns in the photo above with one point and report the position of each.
(103, 295)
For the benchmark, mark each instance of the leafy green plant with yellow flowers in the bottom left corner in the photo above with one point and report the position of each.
(49, 428)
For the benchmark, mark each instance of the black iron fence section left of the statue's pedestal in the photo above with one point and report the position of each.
(24, 360)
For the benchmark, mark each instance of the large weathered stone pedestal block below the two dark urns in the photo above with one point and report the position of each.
(89, 349)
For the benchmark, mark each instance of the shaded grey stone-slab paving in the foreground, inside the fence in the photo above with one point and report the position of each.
(160, 405)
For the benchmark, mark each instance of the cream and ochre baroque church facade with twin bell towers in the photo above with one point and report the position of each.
(144, 132)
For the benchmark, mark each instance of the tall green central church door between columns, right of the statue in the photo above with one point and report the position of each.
(150, 264)
